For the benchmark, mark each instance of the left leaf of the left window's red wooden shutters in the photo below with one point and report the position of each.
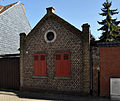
(36, 64)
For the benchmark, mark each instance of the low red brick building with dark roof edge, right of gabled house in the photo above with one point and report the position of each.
(106, 57)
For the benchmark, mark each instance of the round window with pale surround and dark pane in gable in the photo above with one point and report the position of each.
(50, 36)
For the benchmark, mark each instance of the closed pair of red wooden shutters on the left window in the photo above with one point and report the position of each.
(40, 67)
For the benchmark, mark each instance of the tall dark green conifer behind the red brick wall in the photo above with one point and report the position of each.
(110, 29)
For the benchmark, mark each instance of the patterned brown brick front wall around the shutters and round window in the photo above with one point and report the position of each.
(66, 41)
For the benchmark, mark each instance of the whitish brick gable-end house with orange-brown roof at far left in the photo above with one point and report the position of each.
(13, 21)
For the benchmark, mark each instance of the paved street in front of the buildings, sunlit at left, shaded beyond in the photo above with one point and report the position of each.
(25, 96)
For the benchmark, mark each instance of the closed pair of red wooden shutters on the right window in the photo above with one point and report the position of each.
(62, 64)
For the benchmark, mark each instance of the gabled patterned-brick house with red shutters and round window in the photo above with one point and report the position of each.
(55, 57)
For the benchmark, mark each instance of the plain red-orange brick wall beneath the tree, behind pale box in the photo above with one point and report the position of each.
(109, 67)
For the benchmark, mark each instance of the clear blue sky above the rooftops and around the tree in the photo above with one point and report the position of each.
(76, 12)
